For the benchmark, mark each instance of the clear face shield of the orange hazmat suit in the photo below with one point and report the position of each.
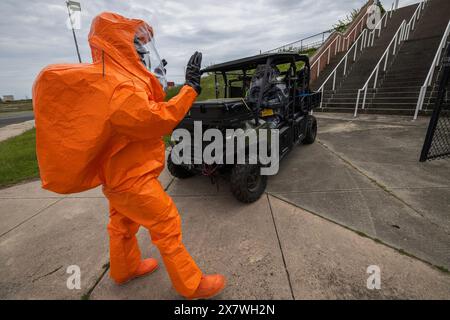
(146, 49)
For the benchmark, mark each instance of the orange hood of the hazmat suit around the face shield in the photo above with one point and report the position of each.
(112, 37)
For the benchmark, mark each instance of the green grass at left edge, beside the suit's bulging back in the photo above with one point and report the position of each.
(18, 160)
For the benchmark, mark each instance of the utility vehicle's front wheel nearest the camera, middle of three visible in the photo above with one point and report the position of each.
(247, 183)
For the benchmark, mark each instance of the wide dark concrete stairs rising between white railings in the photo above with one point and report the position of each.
(398, 89)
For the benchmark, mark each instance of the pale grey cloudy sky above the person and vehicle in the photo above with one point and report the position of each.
(33, 33)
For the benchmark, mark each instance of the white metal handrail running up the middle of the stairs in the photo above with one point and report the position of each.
(401, 35)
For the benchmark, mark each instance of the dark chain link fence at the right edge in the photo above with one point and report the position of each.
(437, 141)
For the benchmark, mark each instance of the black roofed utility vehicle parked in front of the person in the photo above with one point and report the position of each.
(268, 91)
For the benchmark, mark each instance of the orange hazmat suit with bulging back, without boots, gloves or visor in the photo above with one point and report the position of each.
(102, 124)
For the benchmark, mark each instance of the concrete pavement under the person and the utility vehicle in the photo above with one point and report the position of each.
(308, 238)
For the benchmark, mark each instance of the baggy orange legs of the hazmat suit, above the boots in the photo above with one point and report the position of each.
(148, 205)
